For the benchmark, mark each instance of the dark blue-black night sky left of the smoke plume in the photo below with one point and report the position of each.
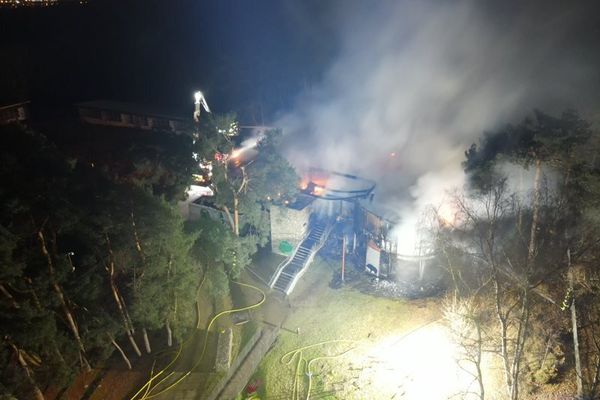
(247, 56)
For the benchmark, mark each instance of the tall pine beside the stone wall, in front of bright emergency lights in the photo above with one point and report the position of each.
(244, 178)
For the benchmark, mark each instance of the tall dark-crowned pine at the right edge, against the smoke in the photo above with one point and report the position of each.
(562, 196)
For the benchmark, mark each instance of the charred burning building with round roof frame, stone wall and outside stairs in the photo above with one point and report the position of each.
(341, 206)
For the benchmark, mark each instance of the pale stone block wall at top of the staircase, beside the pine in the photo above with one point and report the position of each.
(287, 226)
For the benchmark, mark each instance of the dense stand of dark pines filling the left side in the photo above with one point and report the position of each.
(86, 262)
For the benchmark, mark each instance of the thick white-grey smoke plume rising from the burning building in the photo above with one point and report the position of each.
(416, 82)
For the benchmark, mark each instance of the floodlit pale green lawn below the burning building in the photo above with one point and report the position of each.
(353, 368)
